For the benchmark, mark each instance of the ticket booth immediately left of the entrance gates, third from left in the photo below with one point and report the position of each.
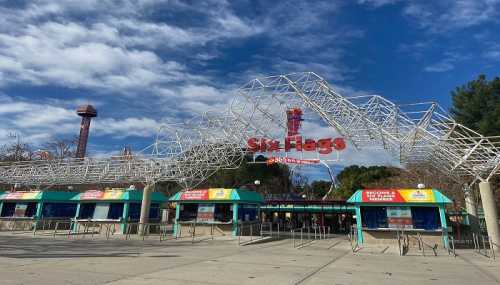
(219, 207)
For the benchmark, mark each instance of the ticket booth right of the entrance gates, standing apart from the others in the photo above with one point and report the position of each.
(380, 213)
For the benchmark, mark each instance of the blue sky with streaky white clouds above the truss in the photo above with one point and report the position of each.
(143, 62)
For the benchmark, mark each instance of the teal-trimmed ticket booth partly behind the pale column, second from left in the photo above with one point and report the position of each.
(116, 206)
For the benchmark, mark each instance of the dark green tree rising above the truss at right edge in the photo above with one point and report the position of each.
(477, 105)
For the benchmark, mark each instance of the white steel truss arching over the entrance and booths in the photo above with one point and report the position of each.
(190, 152)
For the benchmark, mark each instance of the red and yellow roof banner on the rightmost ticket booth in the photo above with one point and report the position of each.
(398, 196)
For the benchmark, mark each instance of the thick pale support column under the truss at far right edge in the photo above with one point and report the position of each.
(490, 212)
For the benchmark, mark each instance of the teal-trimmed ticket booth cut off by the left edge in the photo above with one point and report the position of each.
(36, 205)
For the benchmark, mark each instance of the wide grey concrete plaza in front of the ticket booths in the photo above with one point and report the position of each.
(44, 260)
